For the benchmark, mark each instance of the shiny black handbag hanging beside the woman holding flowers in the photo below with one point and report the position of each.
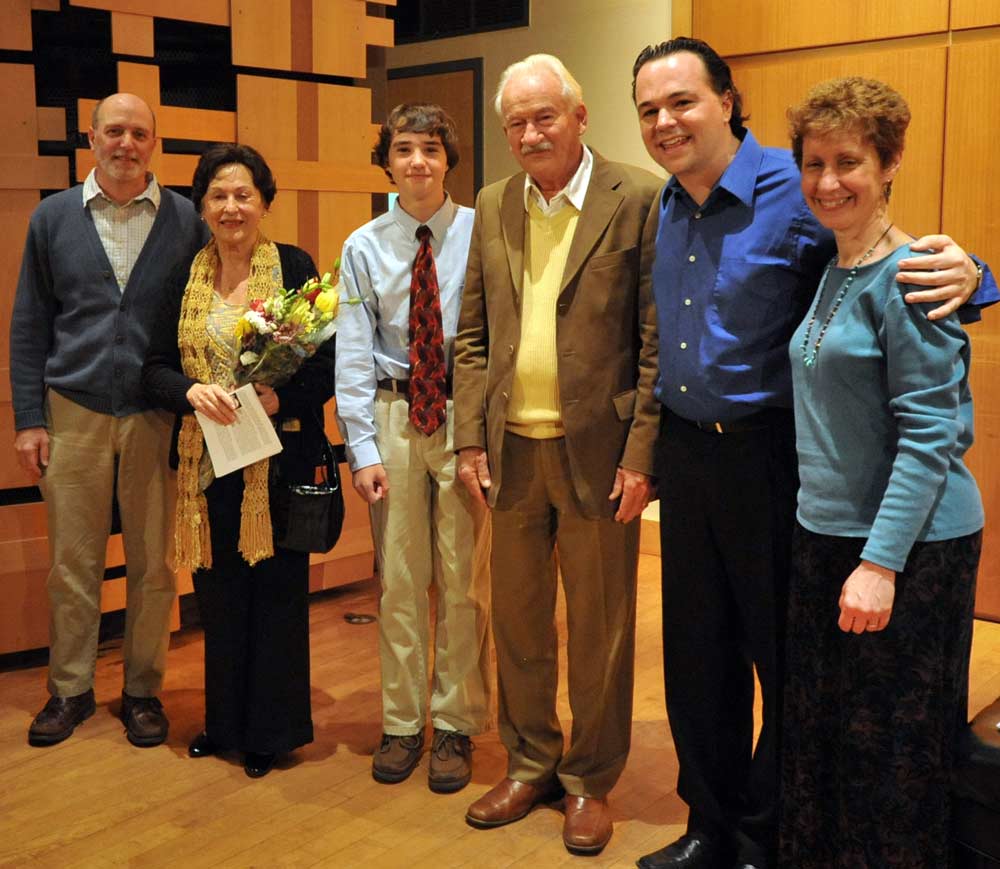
(309, 518)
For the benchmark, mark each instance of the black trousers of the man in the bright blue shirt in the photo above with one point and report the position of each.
(727, 512)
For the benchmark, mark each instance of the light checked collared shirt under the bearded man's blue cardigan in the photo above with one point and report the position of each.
(123, 229)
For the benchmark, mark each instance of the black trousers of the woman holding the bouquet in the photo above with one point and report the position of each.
(256, 622)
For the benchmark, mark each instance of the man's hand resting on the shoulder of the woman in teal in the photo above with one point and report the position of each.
(948, 274)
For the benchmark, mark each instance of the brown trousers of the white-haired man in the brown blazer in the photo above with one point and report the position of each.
(536, 519)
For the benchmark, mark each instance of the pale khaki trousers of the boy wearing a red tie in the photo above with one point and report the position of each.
(429, 531)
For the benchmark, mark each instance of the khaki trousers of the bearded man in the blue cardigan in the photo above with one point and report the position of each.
(77, 486)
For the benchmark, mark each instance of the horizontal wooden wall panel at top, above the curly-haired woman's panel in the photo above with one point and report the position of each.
(757, 26)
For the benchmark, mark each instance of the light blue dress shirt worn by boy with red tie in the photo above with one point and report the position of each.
(373, 336)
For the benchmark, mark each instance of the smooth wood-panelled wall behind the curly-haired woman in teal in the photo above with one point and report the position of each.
(944, 57)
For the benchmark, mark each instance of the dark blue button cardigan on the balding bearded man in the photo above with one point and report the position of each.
(71, 329)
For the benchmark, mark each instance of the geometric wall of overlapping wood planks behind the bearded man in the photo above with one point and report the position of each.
(293, 78)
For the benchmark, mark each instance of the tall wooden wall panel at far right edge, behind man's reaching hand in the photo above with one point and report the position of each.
(969, 212)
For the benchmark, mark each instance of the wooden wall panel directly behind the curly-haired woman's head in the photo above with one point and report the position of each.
(770, 84)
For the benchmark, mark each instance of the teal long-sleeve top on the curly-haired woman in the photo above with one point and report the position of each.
(883, 418)
